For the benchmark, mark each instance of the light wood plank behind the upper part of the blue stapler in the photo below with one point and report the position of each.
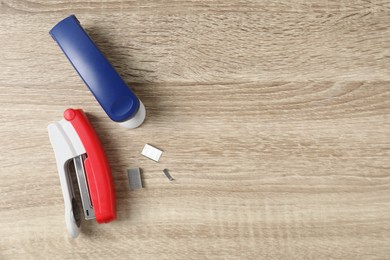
(212, 48)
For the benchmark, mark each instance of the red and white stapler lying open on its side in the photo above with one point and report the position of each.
(75, 142)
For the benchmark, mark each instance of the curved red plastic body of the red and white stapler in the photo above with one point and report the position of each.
(97, 169)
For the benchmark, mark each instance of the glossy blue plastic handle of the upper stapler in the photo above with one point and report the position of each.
(109, 89)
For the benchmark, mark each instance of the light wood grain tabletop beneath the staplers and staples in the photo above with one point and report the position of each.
(274, 119)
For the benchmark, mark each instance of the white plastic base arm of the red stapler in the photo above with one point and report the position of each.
(66, 145)
